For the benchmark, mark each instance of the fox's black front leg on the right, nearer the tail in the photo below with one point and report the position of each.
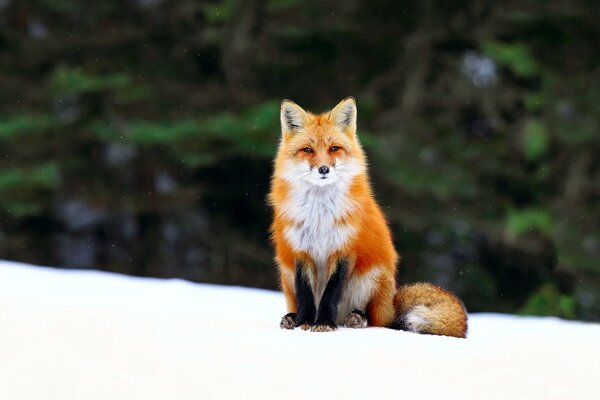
(327, 313)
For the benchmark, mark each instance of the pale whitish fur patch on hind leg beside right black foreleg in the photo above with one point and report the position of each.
(357, 293)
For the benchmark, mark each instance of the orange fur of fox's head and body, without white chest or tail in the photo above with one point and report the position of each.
(370, 246)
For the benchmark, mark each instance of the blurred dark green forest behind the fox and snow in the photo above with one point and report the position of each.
(137, 136)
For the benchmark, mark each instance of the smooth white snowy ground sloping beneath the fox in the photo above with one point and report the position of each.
(91, 335)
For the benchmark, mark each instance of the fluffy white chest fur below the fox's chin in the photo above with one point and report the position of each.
(316, 211)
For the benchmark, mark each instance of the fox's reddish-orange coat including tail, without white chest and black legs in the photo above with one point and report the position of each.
(331, 139)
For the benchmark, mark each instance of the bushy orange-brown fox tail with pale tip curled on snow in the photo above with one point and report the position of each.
(427, 308)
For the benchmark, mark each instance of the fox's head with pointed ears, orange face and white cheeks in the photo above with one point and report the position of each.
(319, 149)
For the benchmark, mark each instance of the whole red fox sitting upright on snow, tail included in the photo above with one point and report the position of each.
(337, 262)
